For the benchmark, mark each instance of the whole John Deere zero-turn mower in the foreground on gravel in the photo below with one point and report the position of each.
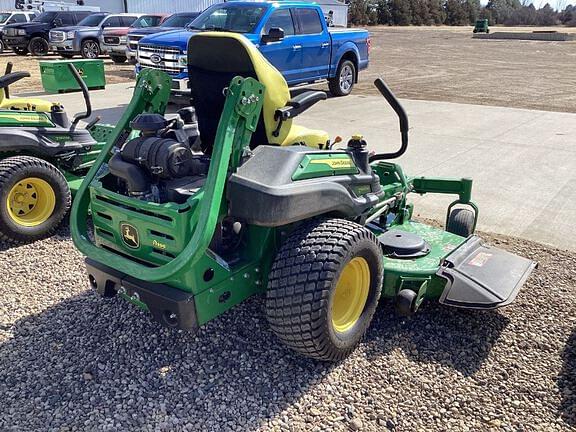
(271, 208)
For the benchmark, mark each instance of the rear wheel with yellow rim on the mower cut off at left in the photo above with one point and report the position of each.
(34, 198)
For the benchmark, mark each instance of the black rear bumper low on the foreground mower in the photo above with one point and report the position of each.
(169, 306)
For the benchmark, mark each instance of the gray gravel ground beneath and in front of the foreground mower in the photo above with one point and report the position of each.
(70, 360)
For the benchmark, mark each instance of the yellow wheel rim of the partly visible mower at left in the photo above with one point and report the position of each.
(31, 202)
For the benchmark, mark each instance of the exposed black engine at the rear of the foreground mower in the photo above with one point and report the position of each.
(159, 165)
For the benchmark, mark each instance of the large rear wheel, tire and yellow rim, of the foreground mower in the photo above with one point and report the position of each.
(324, 287)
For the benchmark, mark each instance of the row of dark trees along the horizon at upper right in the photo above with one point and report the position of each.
(456, 12)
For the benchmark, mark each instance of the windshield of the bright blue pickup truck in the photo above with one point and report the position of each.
(234, 18)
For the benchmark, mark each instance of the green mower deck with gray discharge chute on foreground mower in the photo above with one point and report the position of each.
(456, 271)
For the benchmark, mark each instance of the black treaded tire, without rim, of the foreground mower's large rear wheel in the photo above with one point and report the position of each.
(300, 282)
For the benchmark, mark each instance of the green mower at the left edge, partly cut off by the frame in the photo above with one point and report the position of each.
(43, 157)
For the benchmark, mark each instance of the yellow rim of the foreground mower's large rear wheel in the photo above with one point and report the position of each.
(351, 294)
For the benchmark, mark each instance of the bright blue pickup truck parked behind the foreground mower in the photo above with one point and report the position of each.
(293, 36)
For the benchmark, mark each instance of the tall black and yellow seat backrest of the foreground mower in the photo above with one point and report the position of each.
(214, 58)
